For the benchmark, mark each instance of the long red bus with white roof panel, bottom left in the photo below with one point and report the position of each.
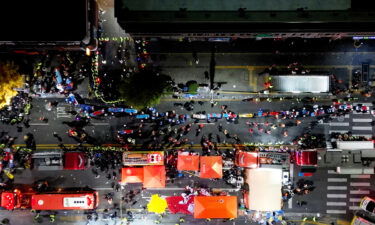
(84, 200)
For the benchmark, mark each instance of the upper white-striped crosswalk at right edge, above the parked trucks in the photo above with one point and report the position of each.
(356, 122)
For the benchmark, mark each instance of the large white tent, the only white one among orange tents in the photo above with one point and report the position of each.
(264, 189)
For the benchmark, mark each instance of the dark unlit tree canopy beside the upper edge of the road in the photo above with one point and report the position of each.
(144, 88)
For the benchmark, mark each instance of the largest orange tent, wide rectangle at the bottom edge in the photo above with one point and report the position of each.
(215, 207)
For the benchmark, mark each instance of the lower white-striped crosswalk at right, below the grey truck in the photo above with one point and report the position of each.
(345, 192)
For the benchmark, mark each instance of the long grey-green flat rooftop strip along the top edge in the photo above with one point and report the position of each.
(234, 5)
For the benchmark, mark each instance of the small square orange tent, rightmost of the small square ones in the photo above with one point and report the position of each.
(211, 167)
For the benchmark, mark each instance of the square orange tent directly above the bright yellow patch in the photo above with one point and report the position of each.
(154, 176)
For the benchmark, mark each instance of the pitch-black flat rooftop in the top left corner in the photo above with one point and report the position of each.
(43, 20)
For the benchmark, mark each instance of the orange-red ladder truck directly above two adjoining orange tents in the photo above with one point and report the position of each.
(143, 158)
